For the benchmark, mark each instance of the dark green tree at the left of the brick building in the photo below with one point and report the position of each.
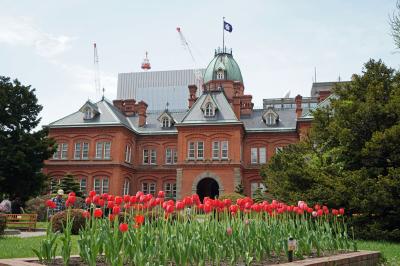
(22, 151)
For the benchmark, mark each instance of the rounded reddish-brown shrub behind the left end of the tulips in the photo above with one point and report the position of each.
(60, 218)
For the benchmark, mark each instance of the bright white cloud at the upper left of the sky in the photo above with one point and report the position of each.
(23, 31)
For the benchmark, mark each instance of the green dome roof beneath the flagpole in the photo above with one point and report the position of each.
(225, 62)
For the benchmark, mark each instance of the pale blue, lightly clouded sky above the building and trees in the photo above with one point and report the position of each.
(277, 44)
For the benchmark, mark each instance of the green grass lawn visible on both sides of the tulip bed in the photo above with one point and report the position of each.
(14, 247)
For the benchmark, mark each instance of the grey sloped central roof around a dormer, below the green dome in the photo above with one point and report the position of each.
(224, 114)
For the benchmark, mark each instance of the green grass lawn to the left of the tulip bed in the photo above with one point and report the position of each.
(15, 247)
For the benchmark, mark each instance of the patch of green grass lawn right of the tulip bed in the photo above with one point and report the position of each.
(391, 251)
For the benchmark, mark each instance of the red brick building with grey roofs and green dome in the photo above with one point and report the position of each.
(217, 143)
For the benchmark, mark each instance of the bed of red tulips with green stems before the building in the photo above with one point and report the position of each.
(147, 230)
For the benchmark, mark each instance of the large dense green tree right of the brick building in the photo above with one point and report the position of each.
(352, 156)
